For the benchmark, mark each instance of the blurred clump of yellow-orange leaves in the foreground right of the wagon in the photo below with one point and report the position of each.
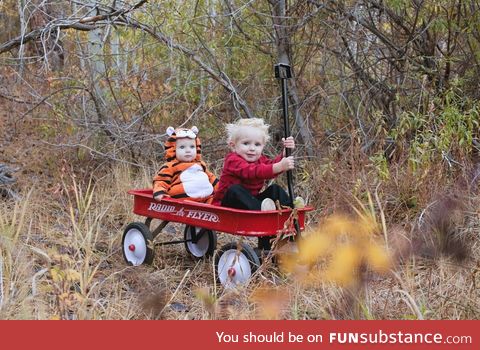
(338, 251)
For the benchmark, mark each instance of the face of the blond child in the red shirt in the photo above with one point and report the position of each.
(249, 144)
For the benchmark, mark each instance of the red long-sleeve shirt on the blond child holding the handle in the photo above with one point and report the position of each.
(252, 176)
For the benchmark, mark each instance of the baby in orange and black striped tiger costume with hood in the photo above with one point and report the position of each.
(184, 175)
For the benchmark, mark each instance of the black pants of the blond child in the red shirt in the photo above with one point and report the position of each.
(239, 197)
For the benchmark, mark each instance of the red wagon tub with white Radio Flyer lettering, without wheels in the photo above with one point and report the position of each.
(211, 217)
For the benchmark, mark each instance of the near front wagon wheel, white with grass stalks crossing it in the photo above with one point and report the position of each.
(235, 263)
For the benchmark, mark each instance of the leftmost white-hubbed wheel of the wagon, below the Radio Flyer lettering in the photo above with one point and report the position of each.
(137, 242)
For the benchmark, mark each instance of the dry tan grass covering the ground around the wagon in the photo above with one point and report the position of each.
(61, 258)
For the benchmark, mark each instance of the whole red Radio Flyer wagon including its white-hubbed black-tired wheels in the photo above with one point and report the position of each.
(234, 263)
